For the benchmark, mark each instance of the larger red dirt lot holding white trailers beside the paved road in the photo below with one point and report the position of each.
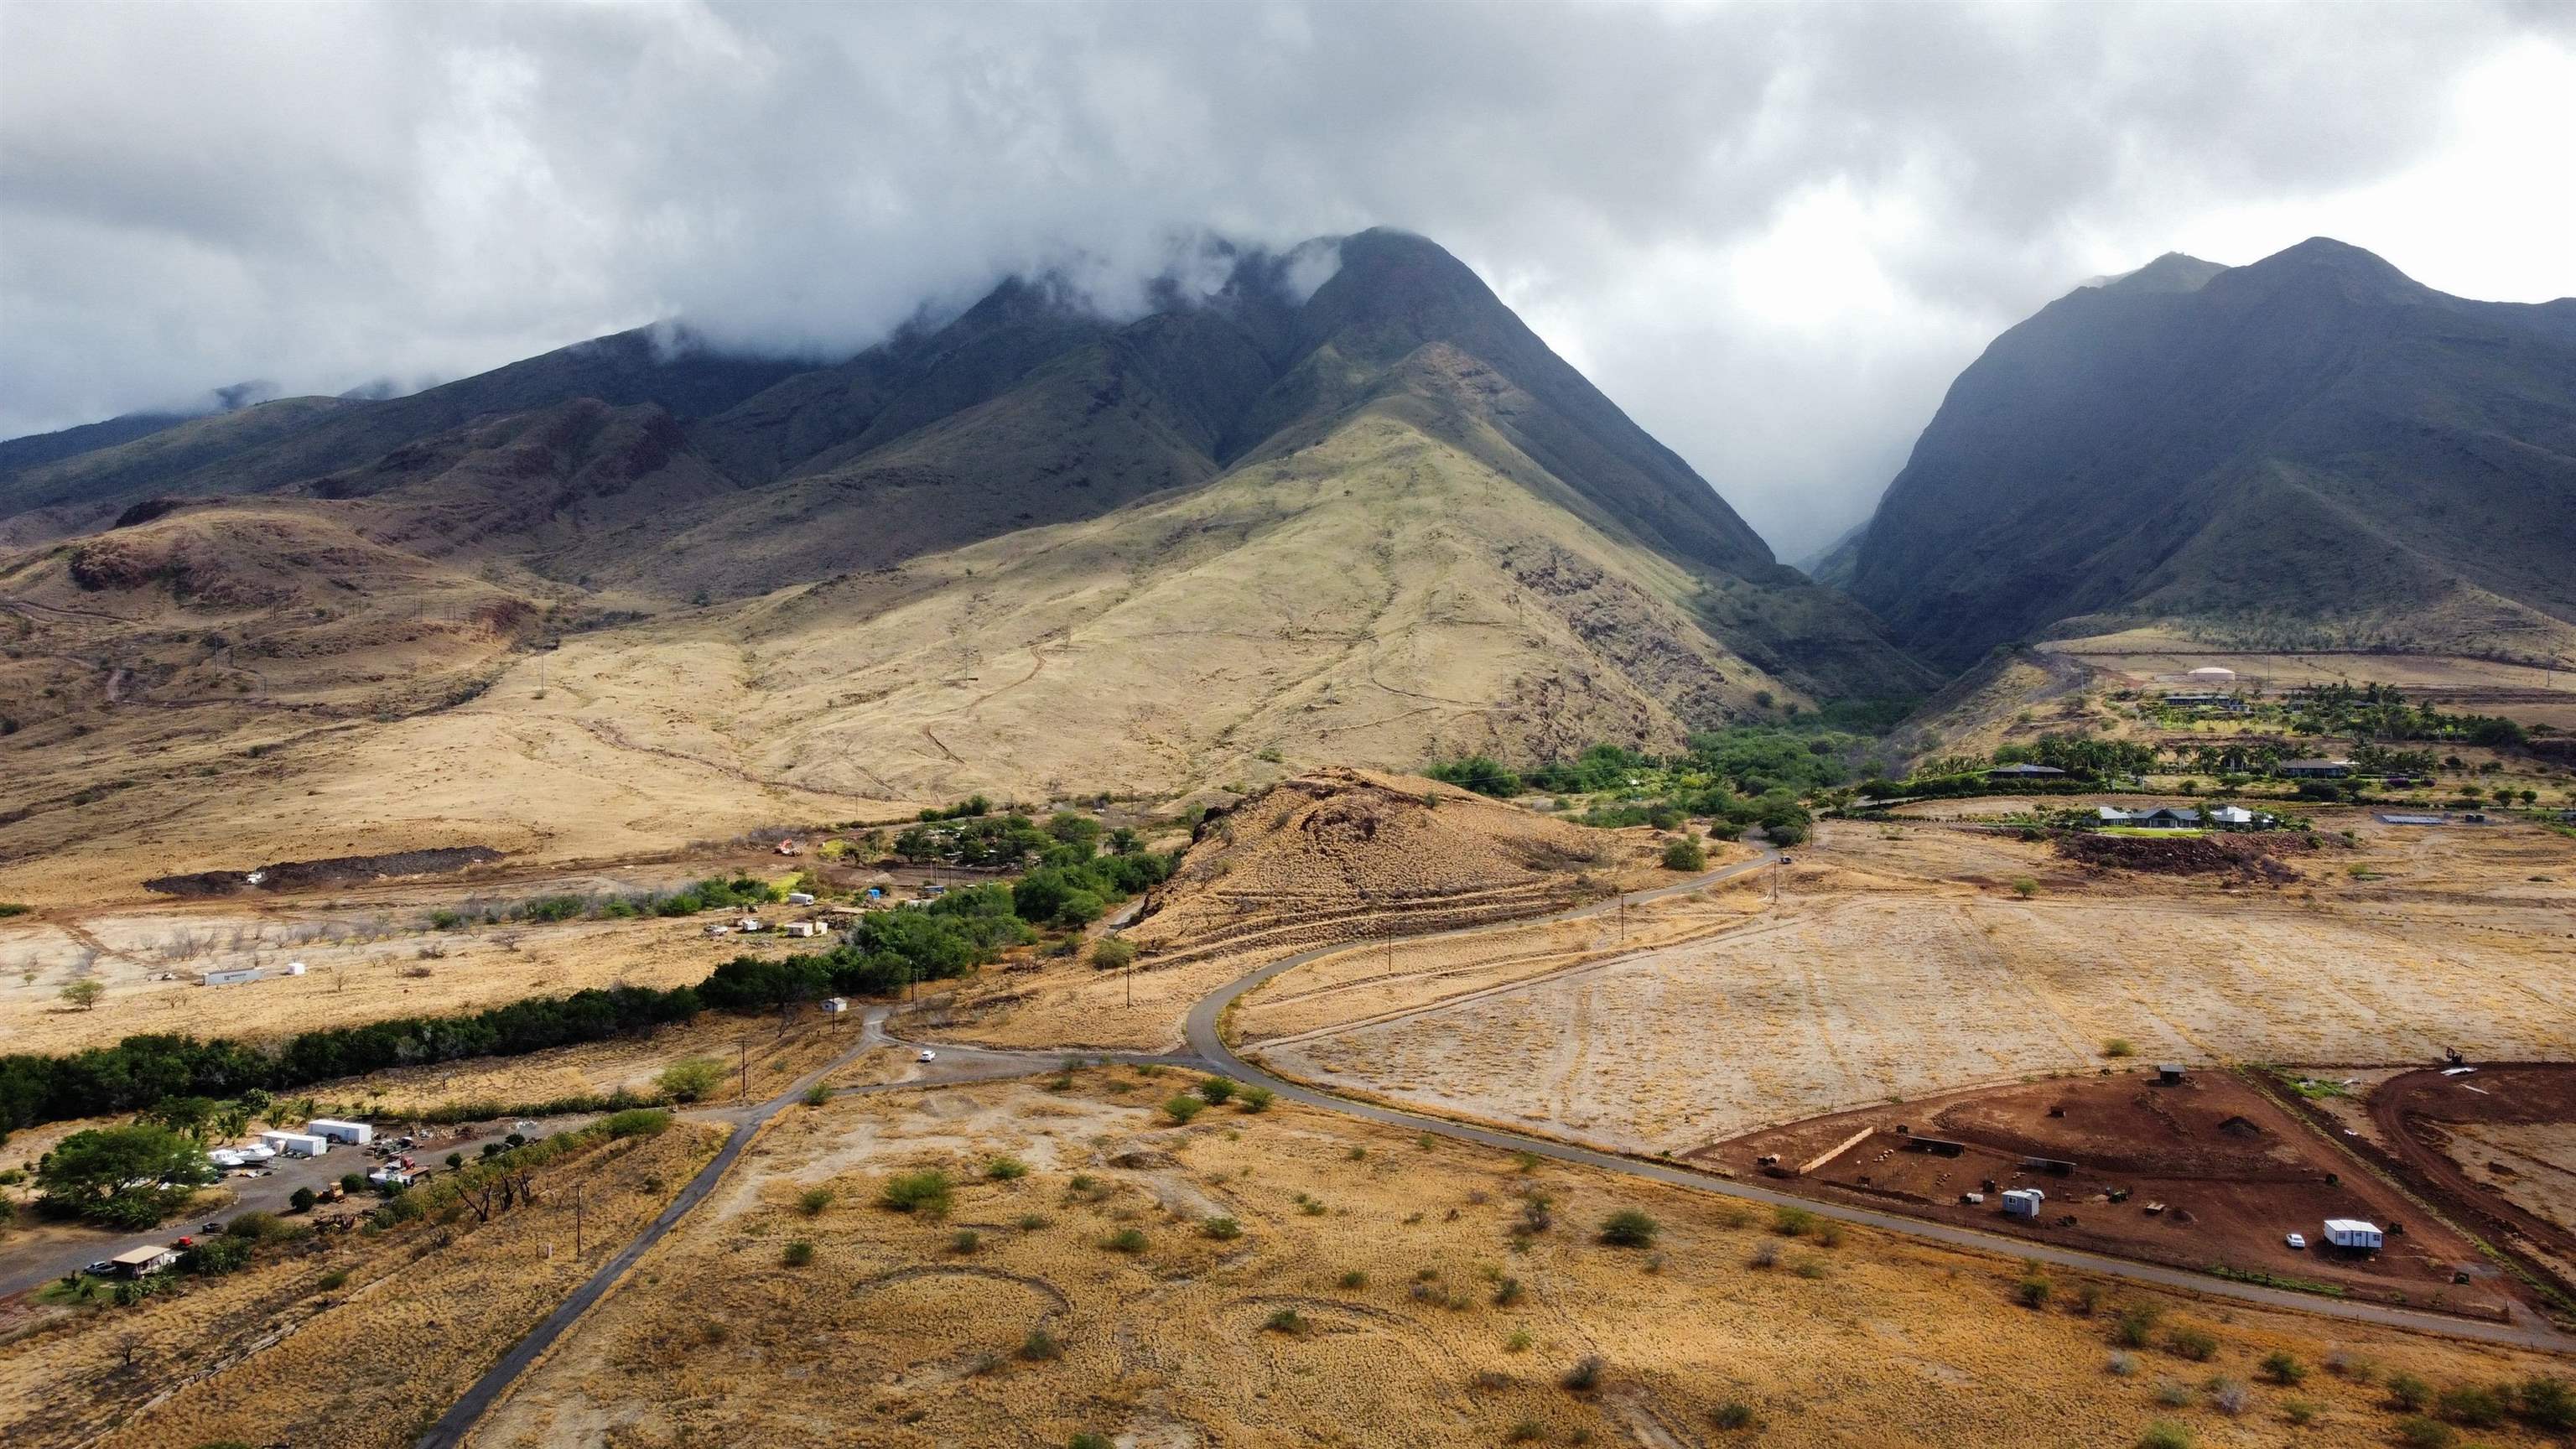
(2232, 1172)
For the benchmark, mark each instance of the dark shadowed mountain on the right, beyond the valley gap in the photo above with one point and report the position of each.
(2302, 452)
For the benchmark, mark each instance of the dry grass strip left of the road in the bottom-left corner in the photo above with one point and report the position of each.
(354, 1339)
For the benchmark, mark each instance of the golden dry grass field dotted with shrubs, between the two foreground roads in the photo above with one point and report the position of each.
(1305, 1280)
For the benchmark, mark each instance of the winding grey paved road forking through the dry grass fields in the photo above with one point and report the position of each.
(1209, 1051)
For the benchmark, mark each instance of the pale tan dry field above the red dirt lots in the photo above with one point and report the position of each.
(1902, 960)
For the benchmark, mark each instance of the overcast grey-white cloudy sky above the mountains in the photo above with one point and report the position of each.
(1768, 233)
